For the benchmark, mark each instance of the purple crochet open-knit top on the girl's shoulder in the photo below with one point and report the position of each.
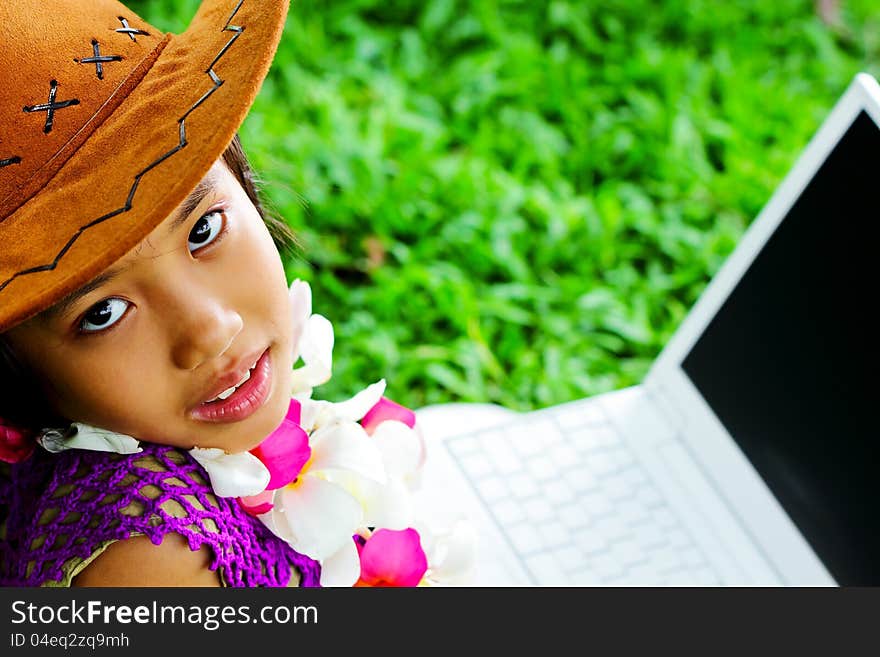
(63, 507)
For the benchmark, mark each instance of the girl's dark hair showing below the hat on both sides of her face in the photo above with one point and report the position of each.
(22, 401)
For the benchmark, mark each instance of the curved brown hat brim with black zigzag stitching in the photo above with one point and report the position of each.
(141, 163)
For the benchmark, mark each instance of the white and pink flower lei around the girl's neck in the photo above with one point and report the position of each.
(334, 480)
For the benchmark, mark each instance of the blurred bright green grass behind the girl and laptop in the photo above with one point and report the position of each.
(517, 201)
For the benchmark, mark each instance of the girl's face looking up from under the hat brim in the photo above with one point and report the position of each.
(152, 346)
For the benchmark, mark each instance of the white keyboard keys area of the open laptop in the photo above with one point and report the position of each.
(575, 504)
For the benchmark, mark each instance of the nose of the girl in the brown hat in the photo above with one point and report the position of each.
(203, 331)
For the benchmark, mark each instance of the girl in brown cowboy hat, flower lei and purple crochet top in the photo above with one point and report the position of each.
(147, 333)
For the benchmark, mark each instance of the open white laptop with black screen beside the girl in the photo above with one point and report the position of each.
(750, 453)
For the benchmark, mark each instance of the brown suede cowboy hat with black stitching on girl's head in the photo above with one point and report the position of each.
(106, 124)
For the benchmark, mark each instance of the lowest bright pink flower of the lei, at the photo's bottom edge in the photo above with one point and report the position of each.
(392, 557)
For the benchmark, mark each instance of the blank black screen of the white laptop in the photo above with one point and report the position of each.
(790, 363)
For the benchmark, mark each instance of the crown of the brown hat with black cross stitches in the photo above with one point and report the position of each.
(64, 66)
